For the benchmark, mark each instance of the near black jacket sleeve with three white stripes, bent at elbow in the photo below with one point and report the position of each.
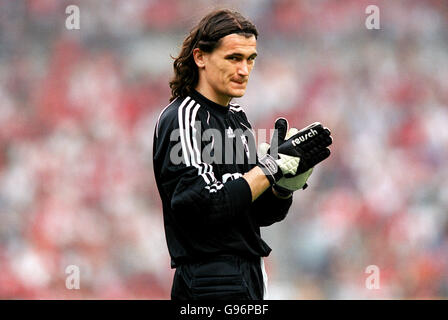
(190, 187)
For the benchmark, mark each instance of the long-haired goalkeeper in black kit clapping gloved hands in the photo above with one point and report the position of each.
(213, 210)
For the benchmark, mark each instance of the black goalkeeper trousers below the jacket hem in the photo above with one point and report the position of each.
(223, 277)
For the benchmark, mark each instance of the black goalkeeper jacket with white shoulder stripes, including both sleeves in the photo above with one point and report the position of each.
(207, 205)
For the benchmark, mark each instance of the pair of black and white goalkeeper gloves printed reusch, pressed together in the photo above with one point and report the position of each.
(301, 151)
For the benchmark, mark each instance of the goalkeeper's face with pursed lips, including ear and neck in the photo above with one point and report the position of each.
(226, 70)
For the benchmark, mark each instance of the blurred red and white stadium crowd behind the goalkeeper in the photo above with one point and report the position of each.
(77, 114)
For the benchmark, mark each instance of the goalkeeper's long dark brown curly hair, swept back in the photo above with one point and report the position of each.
(205, 36)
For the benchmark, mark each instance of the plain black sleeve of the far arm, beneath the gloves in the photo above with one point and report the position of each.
(269, 209)
